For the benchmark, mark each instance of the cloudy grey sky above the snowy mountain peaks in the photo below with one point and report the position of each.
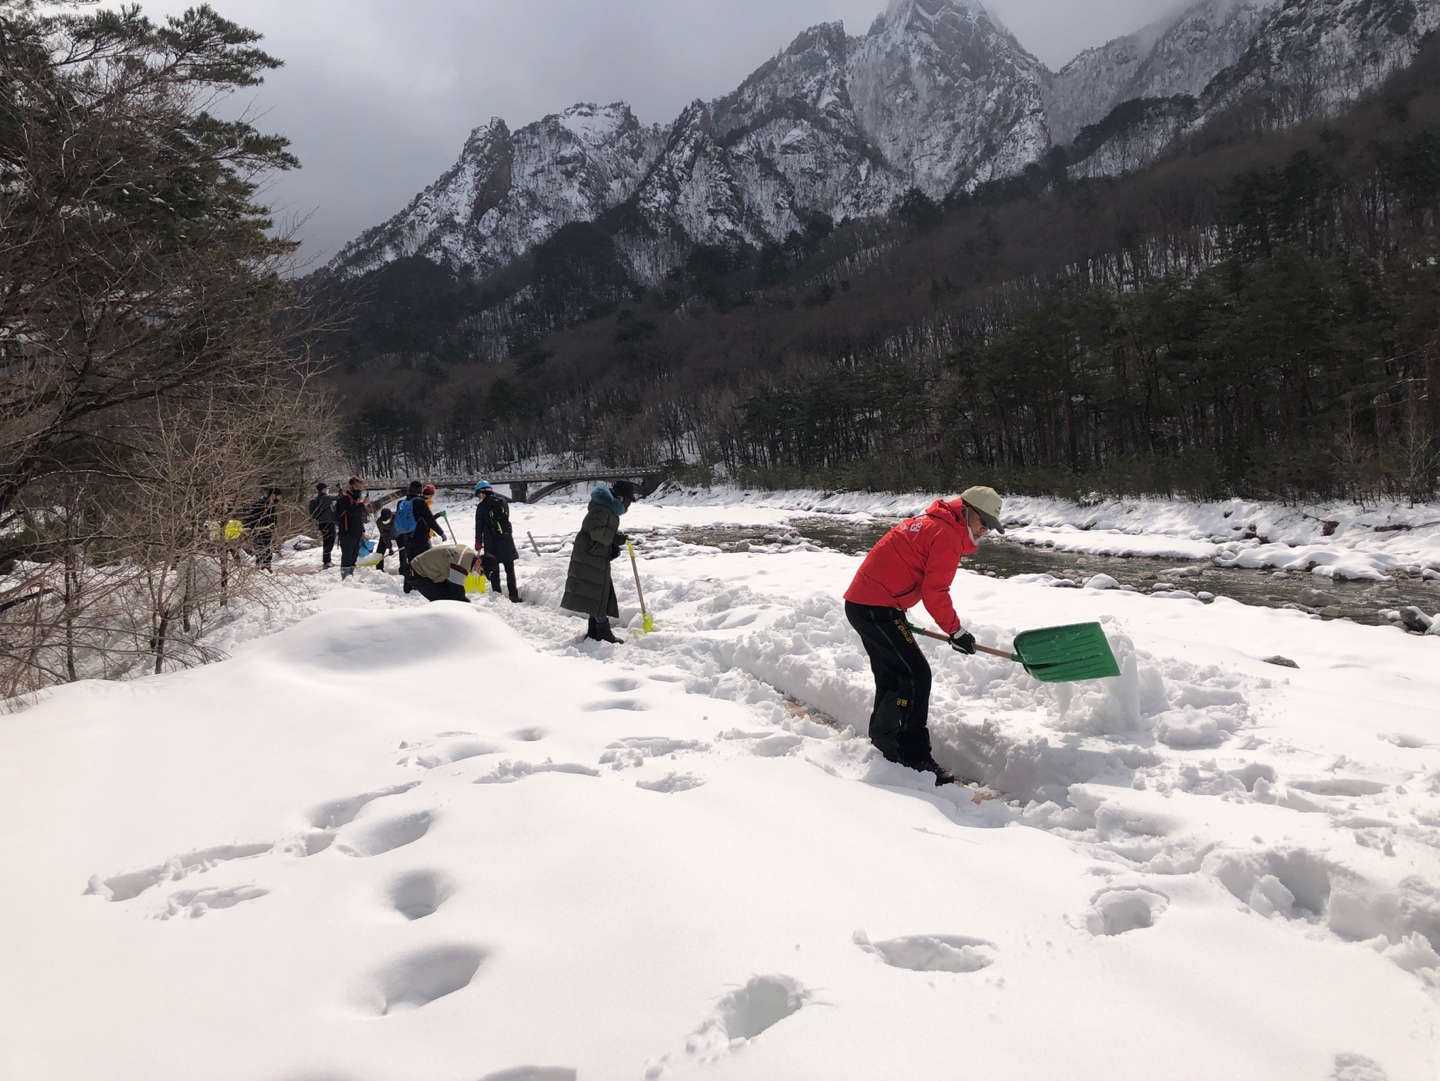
(378, 96)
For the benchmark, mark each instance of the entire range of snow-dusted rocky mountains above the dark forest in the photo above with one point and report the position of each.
(937, 96)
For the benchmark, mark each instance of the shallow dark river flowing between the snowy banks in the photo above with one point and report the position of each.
(1362, 602)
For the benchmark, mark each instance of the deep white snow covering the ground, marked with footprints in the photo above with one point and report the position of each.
(392, 840)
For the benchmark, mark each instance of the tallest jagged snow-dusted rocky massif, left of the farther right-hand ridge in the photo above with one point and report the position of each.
(938, 94)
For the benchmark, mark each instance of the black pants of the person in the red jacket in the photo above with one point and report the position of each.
(898, 723)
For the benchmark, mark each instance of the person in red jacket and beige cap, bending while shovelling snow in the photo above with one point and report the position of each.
(914, 564)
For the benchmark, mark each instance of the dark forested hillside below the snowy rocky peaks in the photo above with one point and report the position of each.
(1258, 315)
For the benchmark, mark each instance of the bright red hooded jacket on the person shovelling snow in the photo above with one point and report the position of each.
(917, 562)
